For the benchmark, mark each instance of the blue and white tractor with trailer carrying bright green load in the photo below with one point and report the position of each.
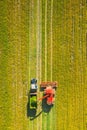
(33, 94)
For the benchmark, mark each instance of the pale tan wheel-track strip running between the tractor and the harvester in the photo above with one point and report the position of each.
(38, 65)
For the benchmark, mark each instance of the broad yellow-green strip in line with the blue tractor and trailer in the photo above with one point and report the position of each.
(32, 48)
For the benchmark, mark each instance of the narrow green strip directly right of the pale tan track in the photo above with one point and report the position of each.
(44, 53)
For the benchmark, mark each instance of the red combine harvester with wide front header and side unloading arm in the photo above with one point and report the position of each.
(49, 91)
